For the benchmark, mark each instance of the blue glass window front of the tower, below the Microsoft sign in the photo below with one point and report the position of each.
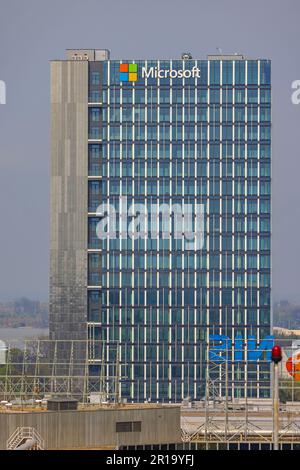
(197, 140)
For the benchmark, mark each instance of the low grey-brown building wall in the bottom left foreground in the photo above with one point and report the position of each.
(95, 428)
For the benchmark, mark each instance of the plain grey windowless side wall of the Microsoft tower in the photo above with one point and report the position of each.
(69, 169)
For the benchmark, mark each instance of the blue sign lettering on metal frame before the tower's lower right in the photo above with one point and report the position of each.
(222, 348)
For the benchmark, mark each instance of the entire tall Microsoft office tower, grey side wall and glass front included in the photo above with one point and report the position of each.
(171, 132)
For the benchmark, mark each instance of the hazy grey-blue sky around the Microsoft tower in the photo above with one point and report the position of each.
(33, 32)
